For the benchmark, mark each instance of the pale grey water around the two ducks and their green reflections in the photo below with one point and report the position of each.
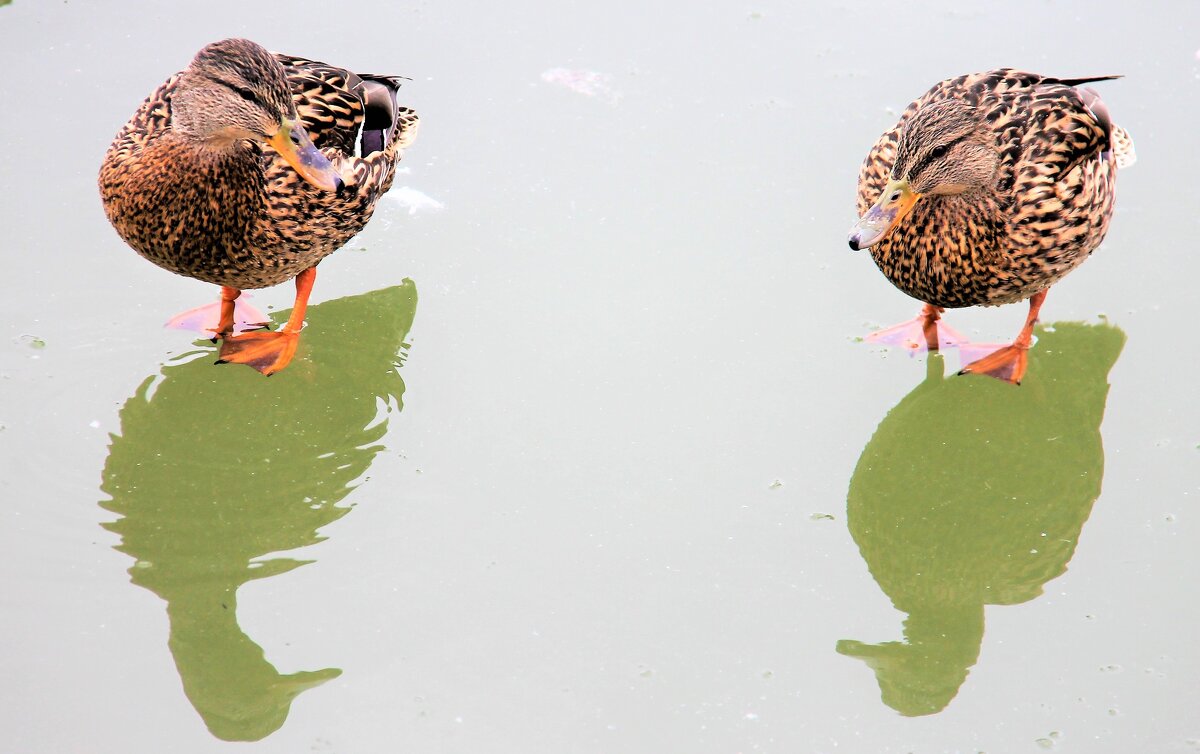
(635, 315)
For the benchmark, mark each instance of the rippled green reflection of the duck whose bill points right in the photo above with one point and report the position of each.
(219, 466)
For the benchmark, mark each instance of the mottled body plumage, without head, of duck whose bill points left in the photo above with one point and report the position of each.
(1047, 211)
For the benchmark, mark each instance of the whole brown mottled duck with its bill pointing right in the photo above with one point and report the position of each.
(242, 171)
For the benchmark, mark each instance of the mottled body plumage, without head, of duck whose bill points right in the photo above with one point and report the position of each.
(249, 220)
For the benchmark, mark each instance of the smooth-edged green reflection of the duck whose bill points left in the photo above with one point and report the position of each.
(974, 493)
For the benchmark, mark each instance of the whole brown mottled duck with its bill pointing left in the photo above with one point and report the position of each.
(989, 189)
